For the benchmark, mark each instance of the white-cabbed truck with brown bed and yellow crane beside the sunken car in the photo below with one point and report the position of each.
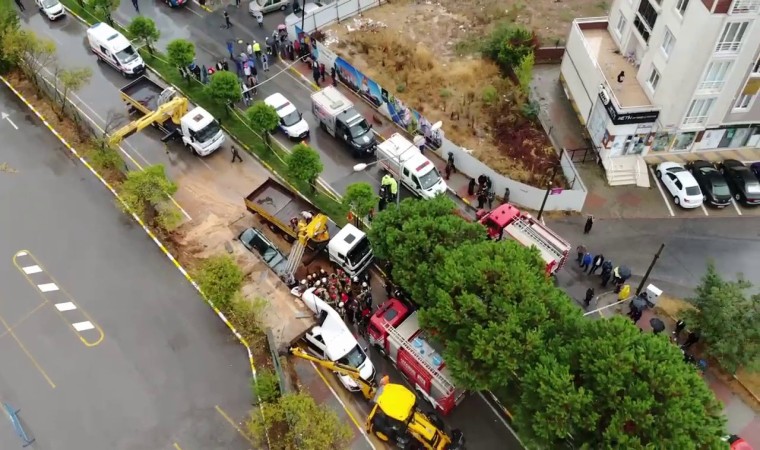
(291, 215)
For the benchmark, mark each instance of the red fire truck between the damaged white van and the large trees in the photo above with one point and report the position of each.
(395, 330)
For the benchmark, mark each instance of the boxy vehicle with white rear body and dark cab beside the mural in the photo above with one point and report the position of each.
(337, 116)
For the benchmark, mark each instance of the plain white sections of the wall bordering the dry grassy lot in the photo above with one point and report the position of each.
(522, 194)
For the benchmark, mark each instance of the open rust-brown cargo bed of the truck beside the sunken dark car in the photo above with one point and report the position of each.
(278, 204)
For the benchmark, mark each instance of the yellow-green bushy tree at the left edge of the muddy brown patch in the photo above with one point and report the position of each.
(145, 191)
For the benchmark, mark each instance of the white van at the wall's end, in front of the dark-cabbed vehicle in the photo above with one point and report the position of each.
(418, 173)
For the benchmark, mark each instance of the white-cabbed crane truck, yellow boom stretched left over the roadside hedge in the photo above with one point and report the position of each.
(170, 112)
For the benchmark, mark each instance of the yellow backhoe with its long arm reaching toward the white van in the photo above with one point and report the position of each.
(395, 418)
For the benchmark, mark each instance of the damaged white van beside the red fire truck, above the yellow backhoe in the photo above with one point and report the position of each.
(331, 339)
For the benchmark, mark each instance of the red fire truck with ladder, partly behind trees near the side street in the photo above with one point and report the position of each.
(506, 221)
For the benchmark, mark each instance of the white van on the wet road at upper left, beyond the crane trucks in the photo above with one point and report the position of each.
(112, 47)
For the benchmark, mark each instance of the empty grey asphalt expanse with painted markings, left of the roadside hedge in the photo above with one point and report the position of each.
(151, 361)
